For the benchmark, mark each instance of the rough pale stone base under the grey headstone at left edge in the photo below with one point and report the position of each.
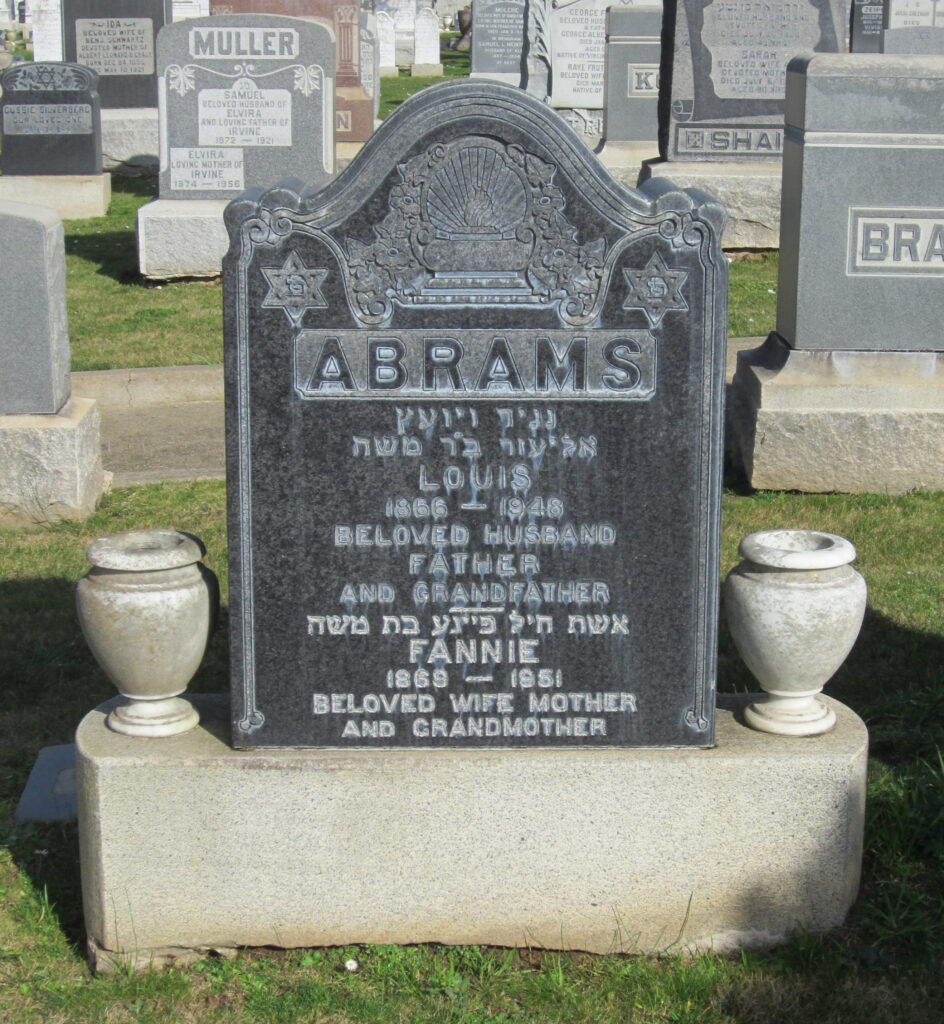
(52, 465)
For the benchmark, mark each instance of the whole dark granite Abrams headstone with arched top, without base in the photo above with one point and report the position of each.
(474, 424)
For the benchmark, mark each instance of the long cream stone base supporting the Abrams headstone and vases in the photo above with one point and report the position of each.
(189, 845)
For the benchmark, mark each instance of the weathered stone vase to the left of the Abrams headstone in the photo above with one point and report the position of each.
(147, 609)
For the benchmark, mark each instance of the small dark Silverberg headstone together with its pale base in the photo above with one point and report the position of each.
(51, 124)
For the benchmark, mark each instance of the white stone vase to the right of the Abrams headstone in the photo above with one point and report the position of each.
(795, 608)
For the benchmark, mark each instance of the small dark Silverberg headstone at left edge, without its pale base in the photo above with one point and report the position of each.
(51, 119)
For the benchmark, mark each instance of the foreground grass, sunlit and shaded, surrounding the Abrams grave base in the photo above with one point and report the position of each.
(883, 967)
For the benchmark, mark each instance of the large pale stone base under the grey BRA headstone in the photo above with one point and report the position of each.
(837, 420)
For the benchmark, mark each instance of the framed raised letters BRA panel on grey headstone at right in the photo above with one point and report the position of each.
(896, 242)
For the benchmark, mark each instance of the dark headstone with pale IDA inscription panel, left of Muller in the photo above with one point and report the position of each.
(118, 40)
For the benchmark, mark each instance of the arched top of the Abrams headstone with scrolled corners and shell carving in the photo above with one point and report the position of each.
(468, 183)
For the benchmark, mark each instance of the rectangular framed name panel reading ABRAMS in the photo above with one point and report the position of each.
(550, 365)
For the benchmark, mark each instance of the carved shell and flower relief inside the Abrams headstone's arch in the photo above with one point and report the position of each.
(486, 216)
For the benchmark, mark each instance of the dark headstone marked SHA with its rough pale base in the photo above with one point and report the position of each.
(724, 122)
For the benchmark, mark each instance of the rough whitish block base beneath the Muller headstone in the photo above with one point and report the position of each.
(182, 238)
